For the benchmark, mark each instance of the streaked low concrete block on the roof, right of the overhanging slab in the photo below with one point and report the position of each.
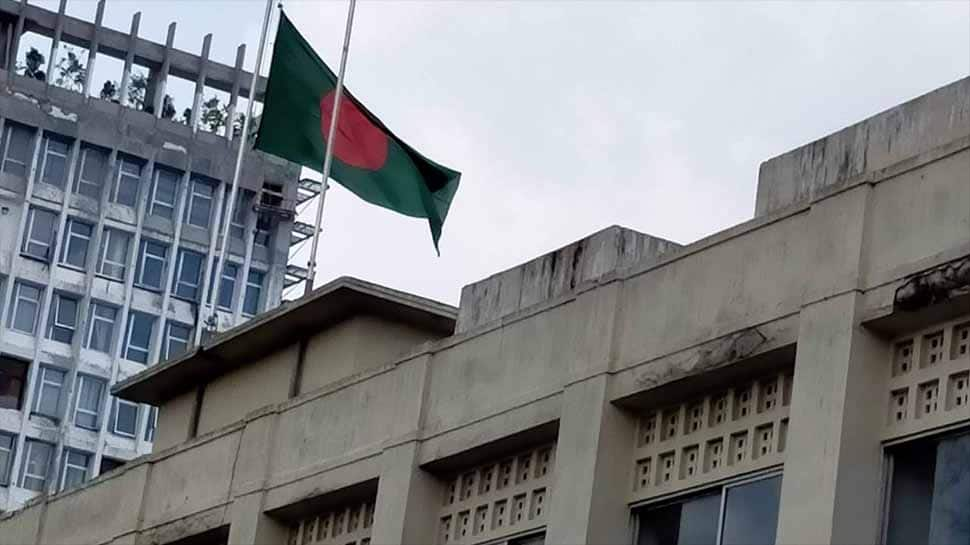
(555, 274)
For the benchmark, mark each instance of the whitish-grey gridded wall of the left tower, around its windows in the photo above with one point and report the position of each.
(46, 110)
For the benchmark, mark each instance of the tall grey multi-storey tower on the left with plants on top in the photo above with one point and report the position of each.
(109, 223)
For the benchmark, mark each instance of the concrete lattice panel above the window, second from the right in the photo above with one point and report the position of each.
(721, 434)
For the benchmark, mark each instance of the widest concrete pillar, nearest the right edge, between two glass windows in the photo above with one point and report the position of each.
(831, 492)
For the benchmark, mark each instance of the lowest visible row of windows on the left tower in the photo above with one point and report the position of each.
(36, 464)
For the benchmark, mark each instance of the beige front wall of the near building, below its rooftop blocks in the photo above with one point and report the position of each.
(792, 319)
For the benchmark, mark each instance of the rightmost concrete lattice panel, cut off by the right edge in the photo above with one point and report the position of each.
(936, 392)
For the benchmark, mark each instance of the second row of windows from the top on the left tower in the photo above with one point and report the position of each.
(150, 268)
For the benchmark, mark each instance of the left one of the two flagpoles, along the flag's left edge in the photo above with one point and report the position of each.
(234, 187)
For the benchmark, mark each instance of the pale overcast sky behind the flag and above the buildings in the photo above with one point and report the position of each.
(567, 117)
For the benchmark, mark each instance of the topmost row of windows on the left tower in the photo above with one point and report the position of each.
(162, 195)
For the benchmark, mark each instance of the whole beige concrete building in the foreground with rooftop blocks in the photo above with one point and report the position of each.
(803, 377)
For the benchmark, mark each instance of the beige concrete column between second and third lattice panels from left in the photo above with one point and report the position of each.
(593, 457)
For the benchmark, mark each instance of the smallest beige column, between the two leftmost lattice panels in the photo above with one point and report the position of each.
(407, 499)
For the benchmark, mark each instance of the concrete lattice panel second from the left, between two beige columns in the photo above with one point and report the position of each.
(497, 499)
